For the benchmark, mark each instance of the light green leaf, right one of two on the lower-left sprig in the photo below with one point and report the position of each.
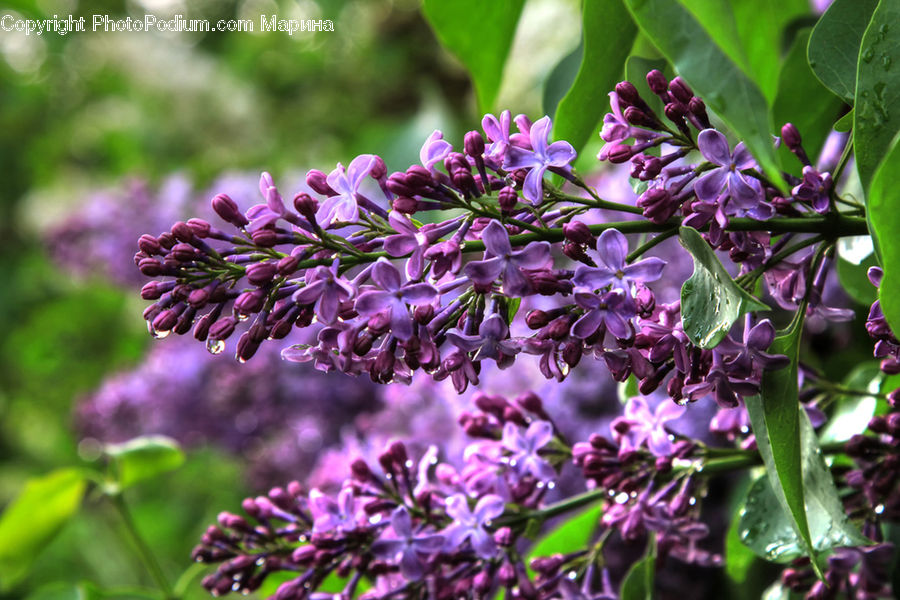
(143, 458)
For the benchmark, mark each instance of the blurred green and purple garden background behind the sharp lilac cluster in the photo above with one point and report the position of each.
(104, 136)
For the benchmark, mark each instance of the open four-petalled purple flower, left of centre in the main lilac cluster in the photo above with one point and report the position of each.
(394, 299)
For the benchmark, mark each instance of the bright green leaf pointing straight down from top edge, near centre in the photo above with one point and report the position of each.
(480, 35)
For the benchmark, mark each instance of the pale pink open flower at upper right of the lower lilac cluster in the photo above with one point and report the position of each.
(641, 425)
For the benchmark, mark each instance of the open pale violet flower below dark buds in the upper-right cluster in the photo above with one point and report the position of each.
(714, 148)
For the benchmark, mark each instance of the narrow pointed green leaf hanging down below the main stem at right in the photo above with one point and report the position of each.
(775, 417)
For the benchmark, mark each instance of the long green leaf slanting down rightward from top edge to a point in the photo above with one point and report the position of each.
(711, 73)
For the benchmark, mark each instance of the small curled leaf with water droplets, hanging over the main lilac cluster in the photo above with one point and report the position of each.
(710, 300)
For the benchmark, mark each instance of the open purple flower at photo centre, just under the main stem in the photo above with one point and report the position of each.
(500, 260)
